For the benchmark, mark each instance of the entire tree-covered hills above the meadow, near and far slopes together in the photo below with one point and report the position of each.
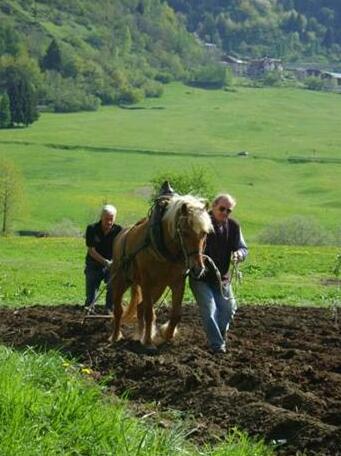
(61, 56)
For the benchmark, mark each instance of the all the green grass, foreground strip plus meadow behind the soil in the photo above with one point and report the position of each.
(72, 163)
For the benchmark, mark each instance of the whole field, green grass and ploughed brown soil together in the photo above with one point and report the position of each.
(280, 379)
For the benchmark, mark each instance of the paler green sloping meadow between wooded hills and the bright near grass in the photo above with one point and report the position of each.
(115, 153)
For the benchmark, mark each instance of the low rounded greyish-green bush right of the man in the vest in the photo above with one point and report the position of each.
(297, 230)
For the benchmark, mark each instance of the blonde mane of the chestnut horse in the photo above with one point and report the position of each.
(197, 215)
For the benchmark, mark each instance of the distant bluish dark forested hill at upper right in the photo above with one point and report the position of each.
(304, 30)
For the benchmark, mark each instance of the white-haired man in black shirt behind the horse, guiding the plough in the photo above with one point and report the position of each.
(99, 239)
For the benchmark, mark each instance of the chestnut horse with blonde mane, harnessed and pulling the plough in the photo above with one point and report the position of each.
(150, 262)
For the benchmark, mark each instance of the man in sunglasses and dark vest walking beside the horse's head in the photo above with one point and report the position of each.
(215, 297)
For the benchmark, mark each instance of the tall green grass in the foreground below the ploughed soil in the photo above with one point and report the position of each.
(47, 408)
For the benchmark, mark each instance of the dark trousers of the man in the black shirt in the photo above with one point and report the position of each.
(94, 275)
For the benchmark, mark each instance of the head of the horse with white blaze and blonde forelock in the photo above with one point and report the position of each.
(189, 223)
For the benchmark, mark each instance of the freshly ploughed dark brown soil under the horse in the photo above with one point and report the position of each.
(280, 379)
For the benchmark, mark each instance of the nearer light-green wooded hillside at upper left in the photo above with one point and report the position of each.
(86, 53)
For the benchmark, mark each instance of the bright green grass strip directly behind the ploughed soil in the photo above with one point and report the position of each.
(50, 271)
